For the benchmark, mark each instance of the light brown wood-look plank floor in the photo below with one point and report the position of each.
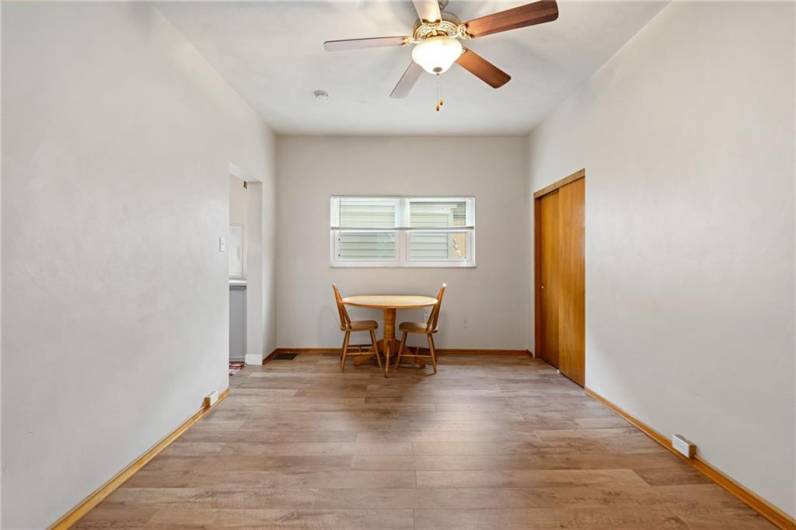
(491, 441)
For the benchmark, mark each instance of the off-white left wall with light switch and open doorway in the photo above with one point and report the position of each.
(115, 191)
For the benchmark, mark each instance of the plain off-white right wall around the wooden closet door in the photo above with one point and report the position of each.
(687, 140)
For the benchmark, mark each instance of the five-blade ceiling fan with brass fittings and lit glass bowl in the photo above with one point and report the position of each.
(437, 37)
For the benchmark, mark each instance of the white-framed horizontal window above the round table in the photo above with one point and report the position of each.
(402, 232)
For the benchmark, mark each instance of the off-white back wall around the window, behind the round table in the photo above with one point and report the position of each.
(485, 307)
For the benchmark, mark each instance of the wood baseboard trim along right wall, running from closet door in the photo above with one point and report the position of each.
(751, 499)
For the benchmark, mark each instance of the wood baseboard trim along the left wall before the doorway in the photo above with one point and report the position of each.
(98, 495)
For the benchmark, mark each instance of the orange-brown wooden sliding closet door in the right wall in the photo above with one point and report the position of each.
(560, 278)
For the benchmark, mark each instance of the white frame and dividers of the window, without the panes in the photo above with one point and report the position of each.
(402, 230)
